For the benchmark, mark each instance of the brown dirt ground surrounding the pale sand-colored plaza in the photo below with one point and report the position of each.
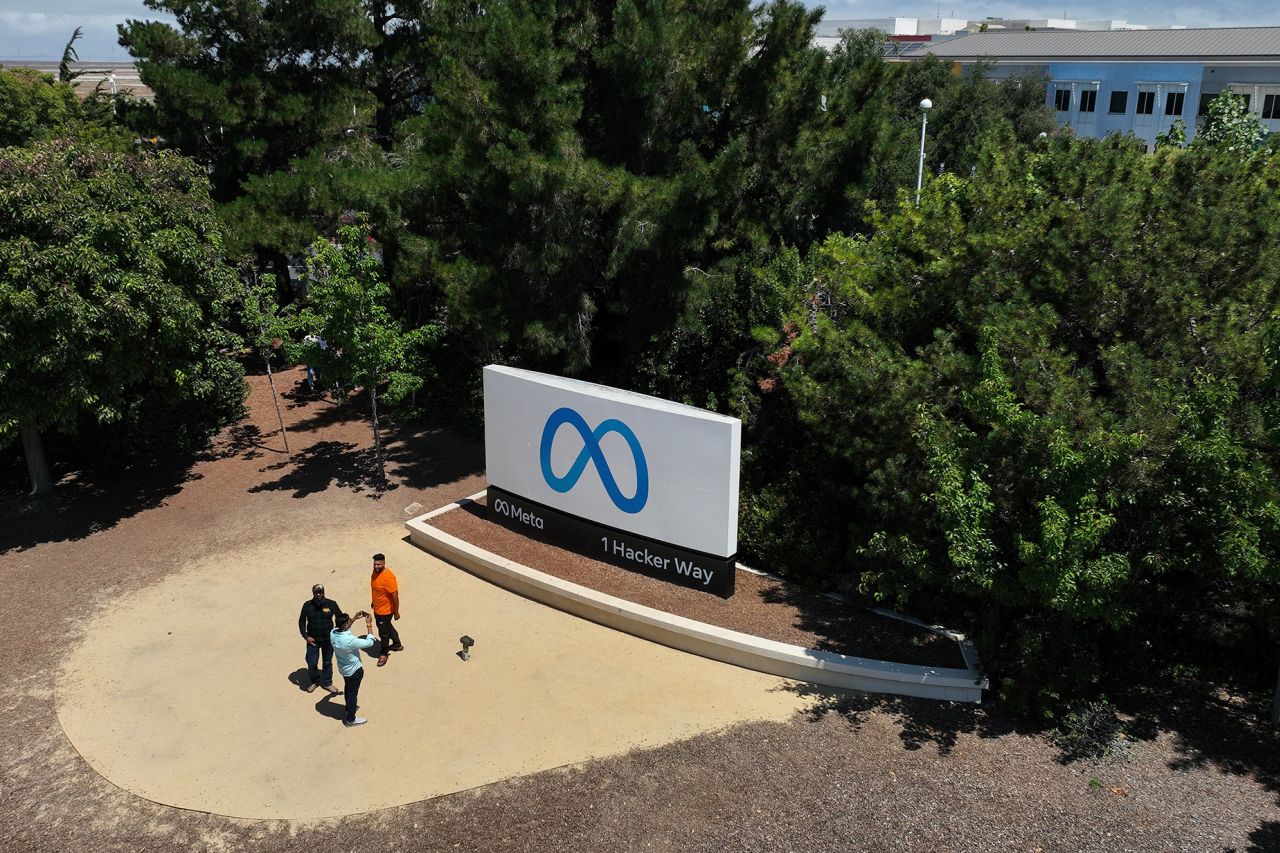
(853, 773)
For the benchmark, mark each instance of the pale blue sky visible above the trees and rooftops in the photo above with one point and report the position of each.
(26, 34)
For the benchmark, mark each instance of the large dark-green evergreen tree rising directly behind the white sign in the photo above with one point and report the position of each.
(586, 162)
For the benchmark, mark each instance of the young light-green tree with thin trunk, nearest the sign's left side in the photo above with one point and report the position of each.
(348, 305)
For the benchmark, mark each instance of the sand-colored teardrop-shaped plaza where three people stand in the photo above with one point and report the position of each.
(188, 692)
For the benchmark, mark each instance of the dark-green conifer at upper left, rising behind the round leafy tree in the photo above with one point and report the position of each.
(243, 88)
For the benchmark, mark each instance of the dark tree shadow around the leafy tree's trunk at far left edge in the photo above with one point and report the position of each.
(86, 500)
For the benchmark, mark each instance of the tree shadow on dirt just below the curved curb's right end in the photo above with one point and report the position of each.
(922, 722)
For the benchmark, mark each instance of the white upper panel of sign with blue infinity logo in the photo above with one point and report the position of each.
(650, 467)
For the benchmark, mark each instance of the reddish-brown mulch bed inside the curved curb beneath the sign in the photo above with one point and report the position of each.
(760, 606)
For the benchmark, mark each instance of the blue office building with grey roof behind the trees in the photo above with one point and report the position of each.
(1133, 81)
